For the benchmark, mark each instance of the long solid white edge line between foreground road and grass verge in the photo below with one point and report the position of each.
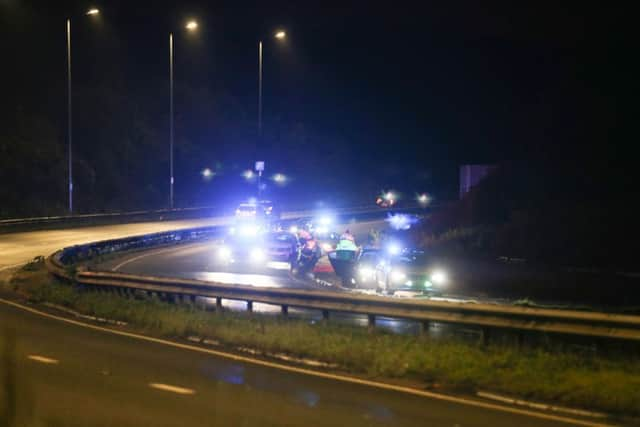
(326, 375)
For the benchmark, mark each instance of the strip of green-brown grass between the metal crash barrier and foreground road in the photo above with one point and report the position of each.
(594, 382)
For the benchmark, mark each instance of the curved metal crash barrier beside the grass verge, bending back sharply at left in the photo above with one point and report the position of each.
(485, 316)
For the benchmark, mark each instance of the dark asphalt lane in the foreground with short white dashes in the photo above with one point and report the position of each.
(68, 375)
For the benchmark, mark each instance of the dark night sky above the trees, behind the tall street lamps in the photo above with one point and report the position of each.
(425, 86)
